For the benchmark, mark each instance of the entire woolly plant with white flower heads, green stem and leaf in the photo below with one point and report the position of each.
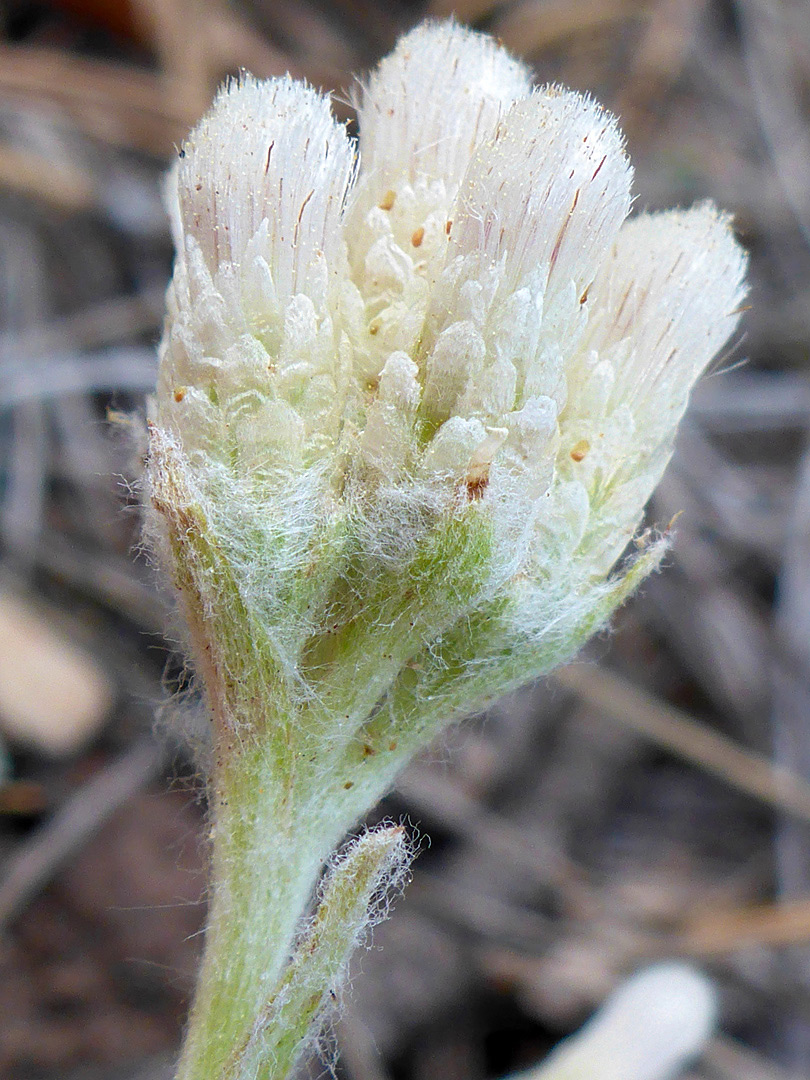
(414, 395)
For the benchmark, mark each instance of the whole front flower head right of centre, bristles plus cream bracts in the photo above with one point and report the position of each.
(542, 204)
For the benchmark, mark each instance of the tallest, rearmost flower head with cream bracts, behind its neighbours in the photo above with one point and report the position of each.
(425, 112)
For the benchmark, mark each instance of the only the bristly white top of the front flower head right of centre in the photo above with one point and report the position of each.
(547, 194)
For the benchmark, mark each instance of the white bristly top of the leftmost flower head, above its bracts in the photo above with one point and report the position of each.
(268, 155)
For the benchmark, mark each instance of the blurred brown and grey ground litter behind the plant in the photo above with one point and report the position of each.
(653, 802)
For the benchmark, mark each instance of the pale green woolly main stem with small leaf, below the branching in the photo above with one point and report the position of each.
(266, 978)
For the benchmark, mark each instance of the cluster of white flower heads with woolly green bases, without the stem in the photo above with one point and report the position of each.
(442, 363)
